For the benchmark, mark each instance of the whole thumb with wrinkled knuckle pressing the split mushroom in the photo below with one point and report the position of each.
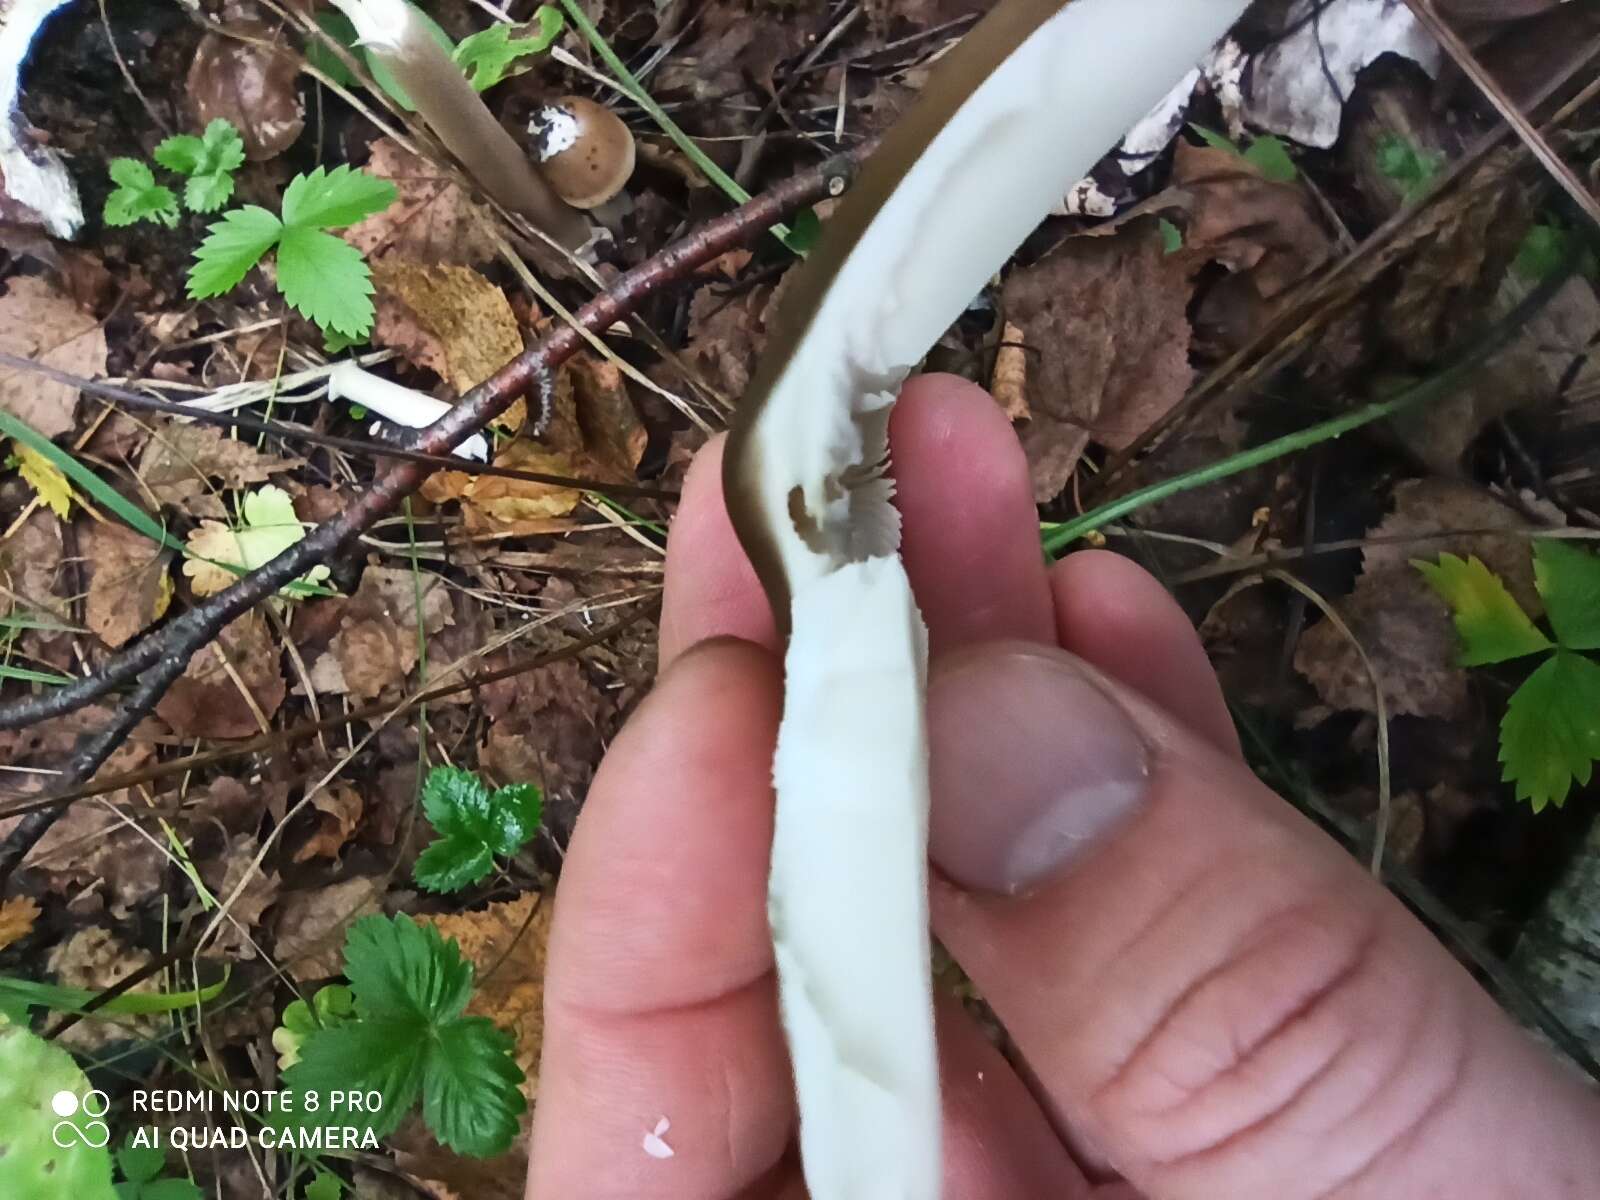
(1207, 988)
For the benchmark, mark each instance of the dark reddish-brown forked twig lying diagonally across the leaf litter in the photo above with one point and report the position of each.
(159, 660)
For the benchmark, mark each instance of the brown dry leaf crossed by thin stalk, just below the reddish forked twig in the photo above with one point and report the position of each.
(207, 703)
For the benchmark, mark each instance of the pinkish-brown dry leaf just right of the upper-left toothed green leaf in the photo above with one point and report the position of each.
(431, 220)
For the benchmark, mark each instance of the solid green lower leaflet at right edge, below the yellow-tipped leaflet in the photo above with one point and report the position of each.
(1551, 734)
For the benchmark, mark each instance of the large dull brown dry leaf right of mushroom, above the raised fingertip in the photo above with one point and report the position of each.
(1105, 324)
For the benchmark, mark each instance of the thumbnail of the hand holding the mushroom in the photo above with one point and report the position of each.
(1031, 764)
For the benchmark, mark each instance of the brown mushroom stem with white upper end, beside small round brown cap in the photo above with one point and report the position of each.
(460, 118)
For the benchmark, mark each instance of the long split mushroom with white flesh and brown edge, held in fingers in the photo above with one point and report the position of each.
(1007, 122)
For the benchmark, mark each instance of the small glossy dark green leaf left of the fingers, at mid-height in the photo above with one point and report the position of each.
(474, 826)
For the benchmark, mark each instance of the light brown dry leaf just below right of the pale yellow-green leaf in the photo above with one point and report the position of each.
(377, 642)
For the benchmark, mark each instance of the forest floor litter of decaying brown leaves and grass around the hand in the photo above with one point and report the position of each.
(1329, 214)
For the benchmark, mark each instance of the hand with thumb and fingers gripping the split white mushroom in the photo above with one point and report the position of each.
(1209, 998)
